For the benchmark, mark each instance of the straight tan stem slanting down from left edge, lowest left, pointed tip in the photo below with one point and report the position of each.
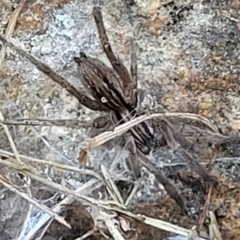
(14, 189)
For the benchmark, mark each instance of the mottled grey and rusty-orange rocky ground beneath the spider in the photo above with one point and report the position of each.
(188, 61)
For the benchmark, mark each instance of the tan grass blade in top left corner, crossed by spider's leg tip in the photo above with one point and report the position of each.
(10, 28)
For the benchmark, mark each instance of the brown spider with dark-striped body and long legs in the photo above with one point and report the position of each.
(114, 90)
